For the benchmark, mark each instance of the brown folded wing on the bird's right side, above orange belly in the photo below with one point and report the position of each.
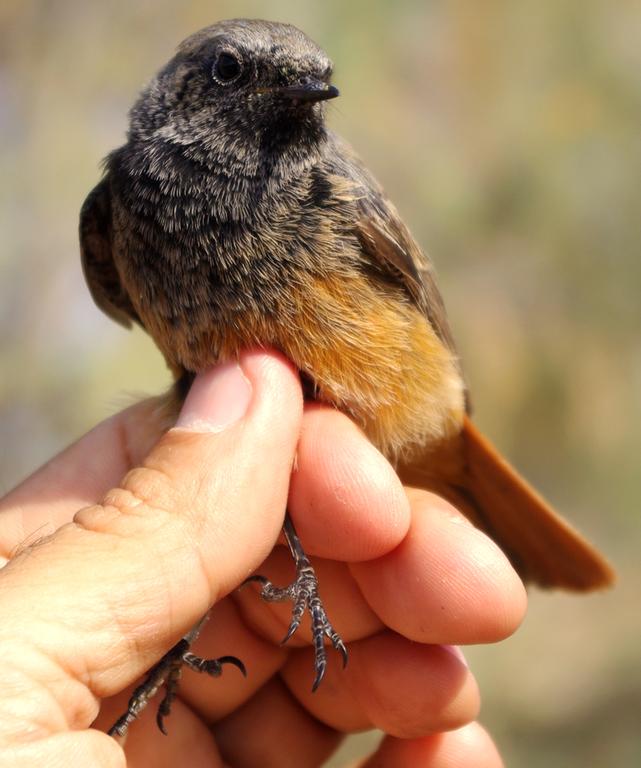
(387, 242)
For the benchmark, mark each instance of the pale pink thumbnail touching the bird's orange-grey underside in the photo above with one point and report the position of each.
(217, 399)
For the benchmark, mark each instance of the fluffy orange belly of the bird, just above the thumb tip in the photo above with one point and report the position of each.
(365, 347)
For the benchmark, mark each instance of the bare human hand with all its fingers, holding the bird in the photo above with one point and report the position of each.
(120, 544)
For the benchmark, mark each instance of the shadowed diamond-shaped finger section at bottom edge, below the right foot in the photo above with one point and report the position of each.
(272, 729)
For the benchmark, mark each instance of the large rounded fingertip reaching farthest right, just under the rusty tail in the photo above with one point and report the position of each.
(446, 583)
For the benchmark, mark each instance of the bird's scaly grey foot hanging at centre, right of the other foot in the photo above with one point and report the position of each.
(303, 592)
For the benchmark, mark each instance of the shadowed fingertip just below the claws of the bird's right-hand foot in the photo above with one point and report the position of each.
(406, 689)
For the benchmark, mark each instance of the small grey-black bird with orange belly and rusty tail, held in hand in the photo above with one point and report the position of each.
(231, 218)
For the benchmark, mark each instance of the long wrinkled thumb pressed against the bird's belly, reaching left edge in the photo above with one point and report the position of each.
(109, 594)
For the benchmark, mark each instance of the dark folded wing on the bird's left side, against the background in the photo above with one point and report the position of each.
(97, 258)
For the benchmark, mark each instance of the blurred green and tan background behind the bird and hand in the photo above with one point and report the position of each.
(508, 133)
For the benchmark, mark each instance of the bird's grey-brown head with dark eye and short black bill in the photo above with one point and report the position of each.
(242, 91)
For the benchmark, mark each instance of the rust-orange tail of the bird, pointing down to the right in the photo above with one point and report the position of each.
(543, 547)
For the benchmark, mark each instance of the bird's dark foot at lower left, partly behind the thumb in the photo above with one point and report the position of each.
(167, 671)
